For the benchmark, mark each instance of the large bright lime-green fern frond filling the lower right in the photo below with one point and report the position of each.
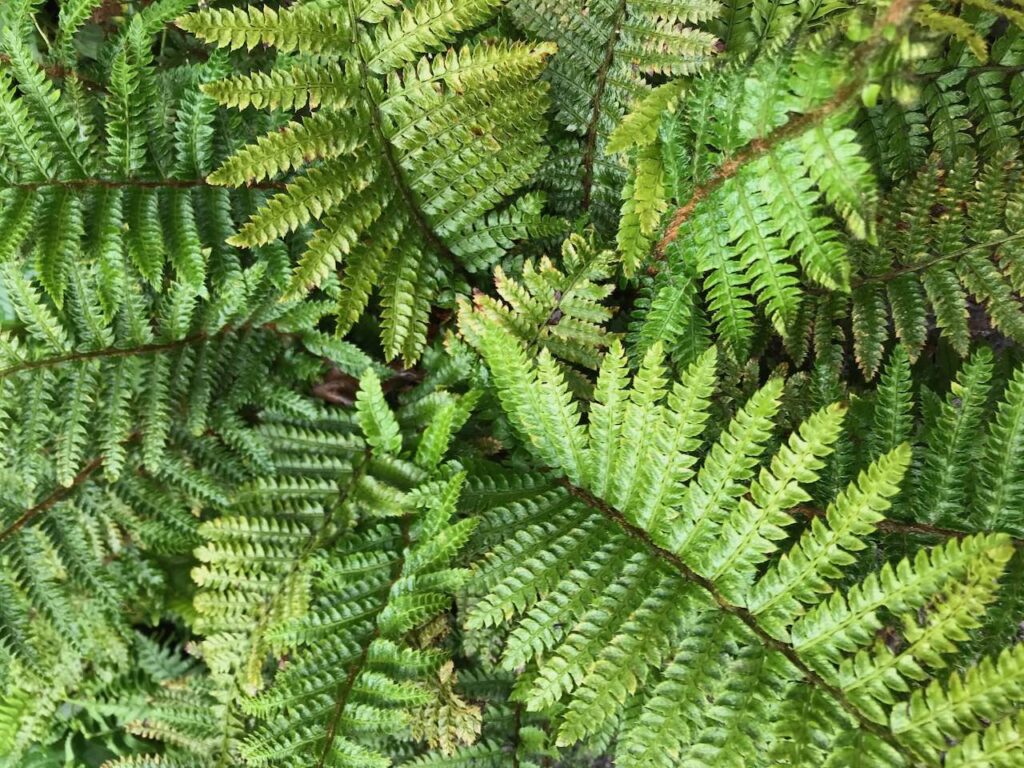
(702, 540)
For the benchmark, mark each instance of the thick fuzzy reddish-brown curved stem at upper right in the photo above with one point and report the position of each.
(898, 15)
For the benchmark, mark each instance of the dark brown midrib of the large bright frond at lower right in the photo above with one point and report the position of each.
(745, 616)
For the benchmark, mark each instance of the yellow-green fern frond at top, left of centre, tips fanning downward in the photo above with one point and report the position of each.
(414, 145)
